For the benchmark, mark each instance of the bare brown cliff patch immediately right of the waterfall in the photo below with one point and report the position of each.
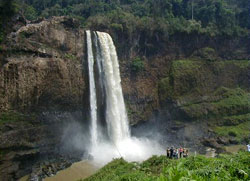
(140, 88)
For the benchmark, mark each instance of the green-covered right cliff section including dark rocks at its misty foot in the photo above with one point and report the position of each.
(212, 96)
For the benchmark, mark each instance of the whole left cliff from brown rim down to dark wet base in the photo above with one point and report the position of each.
(42, 90)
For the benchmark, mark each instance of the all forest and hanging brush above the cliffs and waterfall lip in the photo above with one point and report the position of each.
(147, 27)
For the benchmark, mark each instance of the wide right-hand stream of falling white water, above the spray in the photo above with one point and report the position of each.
(116, 116)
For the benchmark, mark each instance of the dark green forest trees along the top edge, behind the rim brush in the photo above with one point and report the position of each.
(212, 16)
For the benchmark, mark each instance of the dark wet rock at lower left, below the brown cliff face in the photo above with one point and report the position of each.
(37, 147)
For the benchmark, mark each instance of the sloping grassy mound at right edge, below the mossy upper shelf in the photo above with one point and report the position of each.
(224, 102)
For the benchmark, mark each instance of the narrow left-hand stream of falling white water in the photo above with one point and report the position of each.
(92, 91)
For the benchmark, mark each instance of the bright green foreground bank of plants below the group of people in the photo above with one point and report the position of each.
(225, 167)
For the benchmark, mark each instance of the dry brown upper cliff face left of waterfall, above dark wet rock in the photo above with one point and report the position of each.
(42, 66)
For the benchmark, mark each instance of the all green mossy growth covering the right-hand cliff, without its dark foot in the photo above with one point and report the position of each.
(192, 84)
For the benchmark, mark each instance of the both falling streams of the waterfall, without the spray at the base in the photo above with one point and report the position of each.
(110, 85)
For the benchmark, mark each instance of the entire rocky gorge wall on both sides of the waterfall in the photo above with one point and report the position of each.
(44, 85)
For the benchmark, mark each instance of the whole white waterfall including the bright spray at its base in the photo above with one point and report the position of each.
(119, 142)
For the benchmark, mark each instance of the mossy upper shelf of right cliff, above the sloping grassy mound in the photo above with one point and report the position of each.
(197, 77)
